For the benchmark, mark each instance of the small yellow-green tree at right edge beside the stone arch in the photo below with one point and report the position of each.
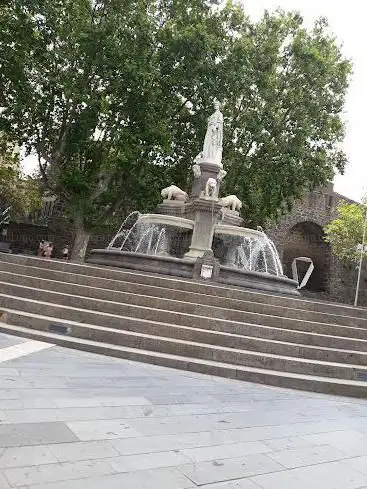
(345, 232)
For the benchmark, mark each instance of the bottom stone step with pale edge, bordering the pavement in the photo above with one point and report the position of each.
(244, 373)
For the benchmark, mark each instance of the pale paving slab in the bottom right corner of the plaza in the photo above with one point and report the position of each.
(334, 475)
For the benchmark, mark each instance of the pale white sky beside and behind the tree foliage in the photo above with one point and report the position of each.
(347, 22)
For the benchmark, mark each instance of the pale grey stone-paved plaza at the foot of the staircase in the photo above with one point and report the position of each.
(73, 420)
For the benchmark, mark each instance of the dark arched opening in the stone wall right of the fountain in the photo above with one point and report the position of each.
(307, 239)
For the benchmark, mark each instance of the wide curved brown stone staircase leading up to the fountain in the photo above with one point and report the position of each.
(184, 324)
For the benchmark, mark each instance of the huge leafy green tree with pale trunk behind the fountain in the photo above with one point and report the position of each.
(113, 95)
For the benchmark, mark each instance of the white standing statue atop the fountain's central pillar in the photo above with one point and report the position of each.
(213, 143)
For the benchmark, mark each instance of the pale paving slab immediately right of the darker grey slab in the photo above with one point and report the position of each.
(102, 429)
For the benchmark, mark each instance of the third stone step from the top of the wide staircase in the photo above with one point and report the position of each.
(218, 316)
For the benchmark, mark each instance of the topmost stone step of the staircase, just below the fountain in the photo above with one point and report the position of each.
(183, 285)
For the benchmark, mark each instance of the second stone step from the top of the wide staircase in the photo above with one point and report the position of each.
(157, 297)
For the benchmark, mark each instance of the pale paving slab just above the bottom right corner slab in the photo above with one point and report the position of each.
(298, 457)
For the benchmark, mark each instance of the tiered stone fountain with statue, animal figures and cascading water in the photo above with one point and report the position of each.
(199, 236)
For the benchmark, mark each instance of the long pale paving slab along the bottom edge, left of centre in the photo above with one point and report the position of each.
(143, 479)
